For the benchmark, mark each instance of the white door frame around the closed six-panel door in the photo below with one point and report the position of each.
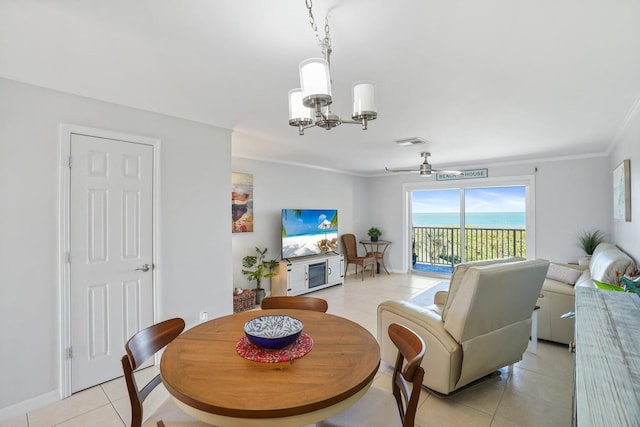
(64, 229)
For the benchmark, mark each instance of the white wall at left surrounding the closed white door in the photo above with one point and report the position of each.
(194, 225)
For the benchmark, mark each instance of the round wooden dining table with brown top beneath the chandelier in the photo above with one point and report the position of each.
(211, 381)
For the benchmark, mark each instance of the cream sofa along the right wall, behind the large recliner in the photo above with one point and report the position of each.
(558, 293)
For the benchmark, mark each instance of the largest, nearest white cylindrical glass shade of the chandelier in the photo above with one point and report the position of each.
(315, 82)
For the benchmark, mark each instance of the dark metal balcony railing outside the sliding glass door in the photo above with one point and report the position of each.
(441, 245)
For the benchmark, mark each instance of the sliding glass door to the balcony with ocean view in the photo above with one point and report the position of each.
(454, 225)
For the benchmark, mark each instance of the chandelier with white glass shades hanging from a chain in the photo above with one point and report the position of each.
(310, 105)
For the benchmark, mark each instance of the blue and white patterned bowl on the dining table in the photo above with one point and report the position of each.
(273, 332)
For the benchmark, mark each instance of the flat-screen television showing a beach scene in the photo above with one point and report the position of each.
(309, 232)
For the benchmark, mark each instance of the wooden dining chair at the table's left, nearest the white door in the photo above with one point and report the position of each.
(140, 347)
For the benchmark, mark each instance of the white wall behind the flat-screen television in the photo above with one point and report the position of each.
(278, 186)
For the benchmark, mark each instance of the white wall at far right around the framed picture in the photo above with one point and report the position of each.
(627, 234)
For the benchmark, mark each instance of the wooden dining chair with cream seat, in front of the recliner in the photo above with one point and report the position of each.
(376, 407)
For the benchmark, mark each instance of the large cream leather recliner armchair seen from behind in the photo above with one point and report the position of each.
(481, 324)
